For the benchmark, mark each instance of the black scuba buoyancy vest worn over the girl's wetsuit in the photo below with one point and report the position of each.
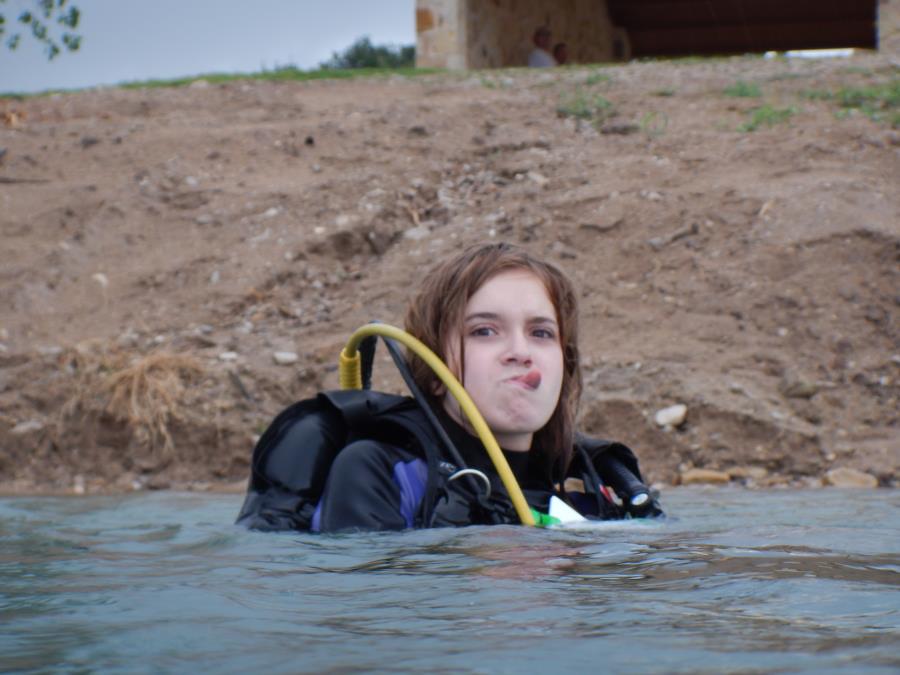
(292, 459)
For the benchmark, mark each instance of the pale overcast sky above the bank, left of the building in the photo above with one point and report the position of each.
(124, 40)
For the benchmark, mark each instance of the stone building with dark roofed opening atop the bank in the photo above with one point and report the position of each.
(497, 33)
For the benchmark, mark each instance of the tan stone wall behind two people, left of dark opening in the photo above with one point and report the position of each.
(497, 33)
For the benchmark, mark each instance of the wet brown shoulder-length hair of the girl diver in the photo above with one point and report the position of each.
(435, 316)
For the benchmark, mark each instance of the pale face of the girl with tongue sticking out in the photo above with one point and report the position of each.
(513, 357)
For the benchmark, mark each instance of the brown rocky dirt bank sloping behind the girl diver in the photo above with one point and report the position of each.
(179, 264)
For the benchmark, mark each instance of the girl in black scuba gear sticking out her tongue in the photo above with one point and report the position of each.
(506, 324)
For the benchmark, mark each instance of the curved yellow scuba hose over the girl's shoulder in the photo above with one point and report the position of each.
(350, 376)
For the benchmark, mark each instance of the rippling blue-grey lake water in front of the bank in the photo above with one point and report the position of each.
(738, 581)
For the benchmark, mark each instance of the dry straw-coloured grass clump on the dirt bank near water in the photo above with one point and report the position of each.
(147, 393)
